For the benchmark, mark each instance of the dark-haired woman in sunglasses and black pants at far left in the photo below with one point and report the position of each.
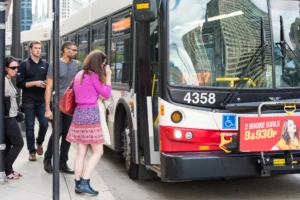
(13, 137)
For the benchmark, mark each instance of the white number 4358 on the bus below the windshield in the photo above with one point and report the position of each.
(202, 98)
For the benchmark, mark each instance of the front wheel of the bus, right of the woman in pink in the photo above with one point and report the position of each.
(131, 167)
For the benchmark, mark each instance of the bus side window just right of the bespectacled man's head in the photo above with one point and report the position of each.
(83, 38)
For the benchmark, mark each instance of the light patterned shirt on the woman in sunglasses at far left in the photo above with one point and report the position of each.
(12, 92)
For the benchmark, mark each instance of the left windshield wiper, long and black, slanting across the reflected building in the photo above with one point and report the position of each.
(248, 72)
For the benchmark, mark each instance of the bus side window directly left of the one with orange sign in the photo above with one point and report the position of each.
(98, 37)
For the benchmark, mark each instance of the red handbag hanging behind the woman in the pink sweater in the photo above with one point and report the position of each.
(67, 101)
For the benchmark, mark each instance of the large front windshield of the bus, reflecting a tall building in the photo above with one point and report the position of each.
(218, 43)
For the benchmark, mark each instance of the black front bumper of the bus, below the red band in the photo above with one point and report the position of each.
(211, 165)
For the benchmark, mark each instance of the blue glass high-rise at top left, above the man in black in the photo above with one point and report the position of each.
(26, 14)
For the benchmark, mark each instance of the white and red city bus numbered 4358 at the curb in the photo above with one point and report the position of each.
(184, 78)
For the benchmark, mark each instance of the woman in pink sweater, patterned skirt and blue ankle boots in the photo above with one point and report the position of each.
(89, 84)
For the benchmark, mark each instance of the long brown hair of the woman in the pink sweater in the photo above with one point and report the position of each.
(95, 62)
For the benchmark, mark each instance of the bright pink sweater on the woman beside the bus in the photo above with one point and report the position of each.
(87, 93)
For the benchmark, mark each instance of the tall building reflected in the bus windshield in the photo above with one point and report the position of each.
(236, 39)
